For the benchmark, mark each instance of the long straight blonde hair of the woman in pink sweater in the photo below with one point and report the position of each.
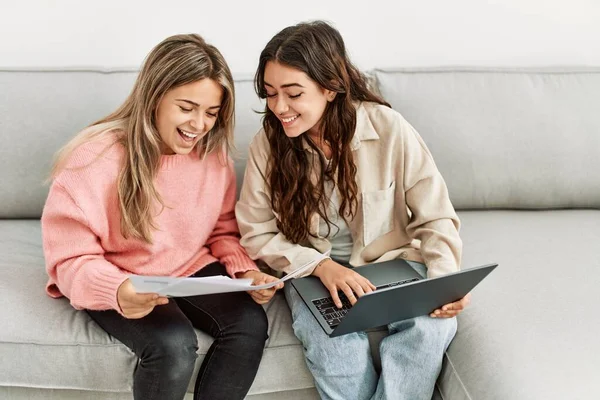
(176, 61)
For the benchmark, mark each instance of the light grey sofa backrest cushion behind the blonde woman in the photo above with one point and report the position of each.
(40, 110)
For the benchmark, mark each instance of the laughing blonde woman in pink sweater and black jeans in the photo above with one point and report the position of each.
(150, 190)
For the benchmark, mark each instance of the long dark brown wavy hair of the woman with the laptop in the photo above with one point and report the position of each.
(317, 49)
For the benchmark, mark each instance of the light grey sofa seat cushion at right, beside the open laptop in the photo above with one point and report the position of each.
(531, 331)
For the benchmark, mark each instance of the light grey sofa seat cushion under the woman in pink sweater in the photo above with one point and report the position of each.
(45, 343)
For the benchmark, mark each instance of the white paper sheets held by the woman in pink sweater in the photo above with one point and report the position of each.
(180, 287)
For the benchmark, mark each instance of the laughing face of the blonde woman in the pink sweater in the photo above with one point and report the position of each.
(187, 113)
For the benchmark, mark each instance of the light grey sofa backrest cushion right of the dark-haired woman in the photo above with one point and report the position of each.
(506, 138)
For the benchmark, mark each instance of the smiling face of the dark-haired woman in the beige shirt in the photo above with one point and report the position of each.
(296, 100)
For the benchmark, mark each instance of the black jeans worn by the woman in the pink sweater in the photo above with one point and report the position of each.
(166, 344)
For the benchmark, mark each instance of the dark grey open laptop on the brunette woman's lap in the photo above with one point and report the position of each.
(402, 293)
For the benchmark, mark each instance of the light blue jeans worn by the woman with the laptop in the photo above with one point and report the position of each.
(411, 356)
